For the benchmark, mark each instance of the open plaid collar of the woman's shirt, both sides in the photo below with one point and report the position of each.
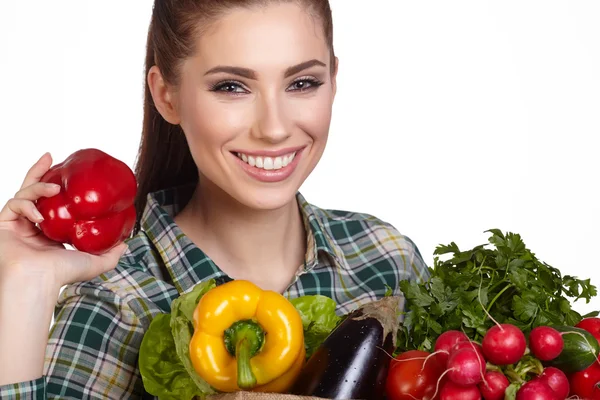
(187, 264)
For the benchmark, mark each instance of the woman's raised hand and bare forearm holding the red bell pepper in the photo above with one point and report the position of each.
(32, 271)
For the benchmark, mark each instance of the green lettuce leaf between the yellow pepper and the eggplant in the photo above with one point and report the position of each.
(318, 319)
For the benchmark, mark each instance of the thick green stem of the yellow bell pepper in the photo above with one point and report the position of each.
(243, 340)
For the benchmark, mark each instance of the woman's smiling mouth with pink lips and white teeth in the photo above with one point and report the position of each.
(275, 167)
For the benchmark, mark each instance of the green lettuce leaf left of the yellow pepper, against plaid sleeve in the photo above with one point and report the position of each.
(162, 372)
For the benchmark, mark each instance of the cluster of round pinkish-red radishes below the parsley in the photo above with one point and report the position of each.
(473, 371)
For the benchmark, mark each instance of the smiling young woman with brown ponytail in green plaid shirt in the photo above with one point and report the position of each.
(238, 105)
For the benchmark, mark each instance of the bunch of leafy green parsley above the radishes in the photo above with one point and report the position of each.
(503, 276)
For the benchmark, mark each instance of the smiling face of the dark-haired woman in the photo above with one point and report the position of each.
(255, 103)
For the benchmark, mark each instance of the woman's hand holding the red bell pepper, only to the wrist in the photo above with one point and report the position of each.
(25, 251)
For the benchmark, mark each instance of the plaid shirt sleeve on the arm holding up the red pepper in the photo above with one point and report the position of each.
(92, 350)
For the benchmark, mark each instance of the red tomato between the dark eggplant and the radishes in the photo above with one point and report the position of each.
(406, 381)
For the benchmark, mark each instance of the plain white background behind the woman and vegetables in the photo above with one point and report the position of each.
(451, 117)
